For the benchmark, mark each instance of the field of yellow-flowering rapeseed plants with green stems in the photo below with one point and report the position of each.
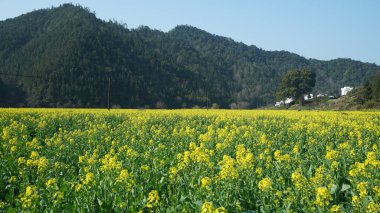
(189, 161)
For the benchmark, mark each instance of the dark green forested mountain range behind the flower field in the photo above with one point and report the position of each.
(65, 57)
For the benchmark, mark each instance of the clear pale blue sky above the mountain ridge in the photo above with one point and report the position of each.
(321, 29)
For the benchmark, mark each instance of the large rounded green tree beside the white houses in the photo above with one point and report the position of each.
(296, 84)
